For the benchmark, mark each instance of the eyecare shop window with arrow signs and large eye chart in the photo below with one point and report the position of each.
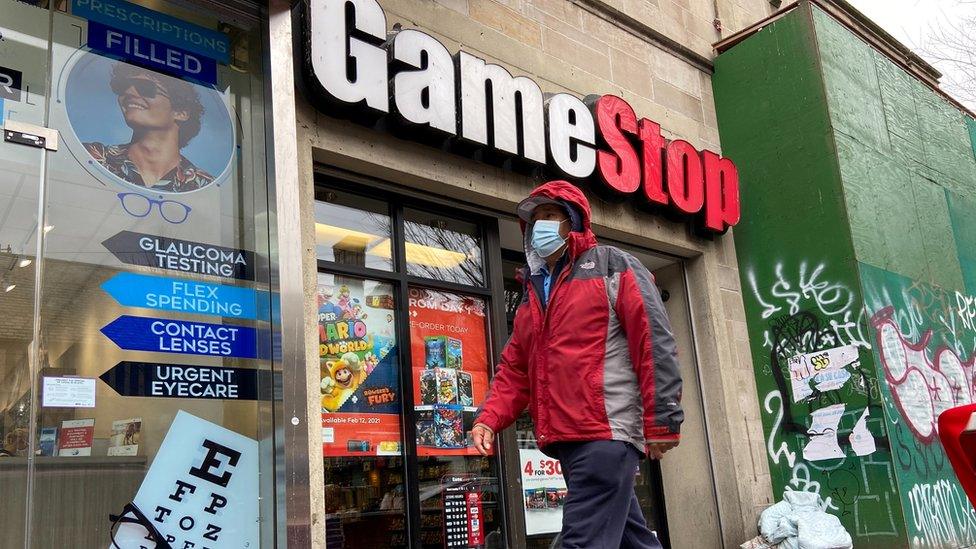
(135, 334)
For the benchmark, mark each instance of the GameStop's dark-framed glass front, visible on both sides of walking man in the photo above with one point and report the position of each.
(415, 301)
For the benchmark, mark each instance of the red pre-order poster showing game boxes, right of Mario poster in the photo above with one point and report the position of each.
(449, 351)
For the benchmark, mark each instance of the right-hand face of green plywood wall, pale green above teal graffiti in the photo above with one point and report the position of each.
(909, 176)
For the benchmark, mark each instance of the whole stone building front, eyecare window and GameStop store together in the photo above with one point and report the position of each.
(258, 263)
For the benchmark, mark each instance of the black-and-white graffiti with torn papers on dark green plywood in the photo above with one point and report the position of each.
(822, 408)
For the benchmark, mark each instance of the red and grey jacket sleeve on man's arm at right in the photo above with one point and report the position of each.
(652, 349)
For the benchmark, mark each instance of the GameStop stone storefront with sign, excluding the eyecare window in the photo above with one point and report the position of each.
(419, 126)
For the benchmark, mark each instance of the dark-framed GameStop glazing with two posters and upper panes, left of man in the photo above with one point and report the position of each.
(409, 282)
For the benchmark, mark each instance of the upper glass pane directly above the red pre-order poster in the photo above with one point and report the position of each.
(443, 248)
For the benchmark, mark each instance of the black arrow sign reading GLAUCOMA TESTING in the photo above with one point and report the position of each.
(146, 250)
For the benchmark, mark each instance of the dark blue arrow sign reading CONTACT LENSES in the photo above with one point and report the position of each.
(160, 335)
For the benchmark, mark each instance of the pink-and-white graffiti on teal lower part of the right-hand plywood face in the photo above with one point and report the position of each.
(925, 349)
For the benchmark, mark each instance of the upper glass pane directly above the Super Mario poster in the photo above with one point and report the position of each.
(353, 230)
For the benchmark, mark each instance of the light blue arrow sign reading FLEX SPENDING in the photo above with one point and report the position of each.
(181, 295)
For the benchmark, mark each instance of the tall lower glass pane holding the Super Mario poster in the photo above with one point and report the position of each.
(361, 406)
